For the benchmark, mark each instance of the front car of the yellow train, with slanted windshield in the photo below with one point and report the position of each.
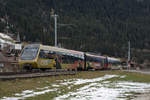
(47, 57)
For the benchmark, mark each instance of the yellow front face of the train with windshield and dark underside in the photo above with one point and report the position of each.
(28, 58)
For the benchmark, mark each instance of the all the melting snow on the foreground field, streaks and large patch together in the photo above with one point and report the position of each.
(92, 89)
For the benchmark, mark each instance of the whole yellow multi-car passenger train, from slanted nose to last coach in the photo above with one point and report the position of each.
(38, 56)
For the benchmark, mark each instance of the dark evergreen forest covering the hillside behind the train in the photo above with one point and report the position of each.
(102, 26)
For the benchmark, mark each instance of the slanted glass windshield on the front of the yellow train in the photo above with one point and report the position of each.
(29, 53)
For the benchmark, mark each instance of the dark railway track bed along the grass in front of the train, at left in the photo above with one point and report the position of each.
(21, 75)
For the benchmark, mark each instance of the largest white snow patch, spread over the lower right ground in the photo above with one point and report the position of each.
(106, 91)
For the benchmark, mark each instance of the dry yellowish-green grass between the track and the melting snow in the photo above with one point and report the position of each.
(8, 88)
